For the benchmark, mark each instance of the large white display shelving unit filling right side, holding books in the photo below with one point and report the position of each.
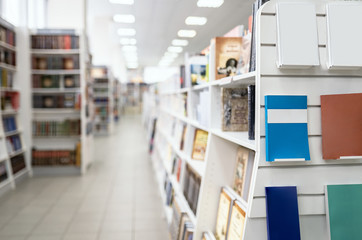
(303, 65)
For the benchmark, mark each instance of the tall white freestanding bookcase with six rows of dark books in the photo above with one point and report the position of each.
(62, 141)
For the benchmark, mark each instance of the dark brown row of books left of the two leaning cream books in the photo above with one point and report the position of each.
(191, 188)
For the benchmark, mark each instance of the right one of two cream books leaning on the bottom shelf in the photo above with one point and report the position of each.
(237, 222)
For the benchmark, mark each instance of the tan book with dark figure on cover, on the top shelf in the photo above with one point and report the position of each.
(228, 52)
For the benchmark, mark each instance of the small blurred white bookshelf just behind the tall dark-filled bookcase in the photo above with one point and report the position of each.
(103, 100)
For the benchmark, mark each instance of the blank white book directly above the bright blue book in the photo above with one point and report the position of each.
(297, 35)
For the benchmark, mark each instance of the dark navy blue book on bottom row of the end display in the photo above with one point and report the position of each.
(282, 213)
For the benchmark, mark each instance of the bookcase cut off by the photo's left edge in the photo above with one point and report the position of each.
(13, 160)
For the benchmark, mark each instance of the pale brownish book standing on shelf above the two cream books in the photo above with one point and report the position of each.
(242, 158)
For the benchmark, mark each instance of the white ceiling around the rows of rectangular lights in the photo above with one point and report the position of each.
(157, 23)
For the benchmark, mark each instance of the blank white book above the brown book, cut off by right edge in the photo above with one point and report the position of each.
(344, 42)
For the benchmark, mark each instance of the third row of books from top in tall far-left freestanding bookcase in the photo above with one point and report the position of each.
(55, 81)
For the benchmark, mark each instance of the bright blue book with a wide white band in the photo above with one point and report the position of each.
(286, 128)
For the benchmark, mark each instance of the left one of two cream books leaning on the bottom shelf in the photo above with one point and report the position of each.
(223, 214)
